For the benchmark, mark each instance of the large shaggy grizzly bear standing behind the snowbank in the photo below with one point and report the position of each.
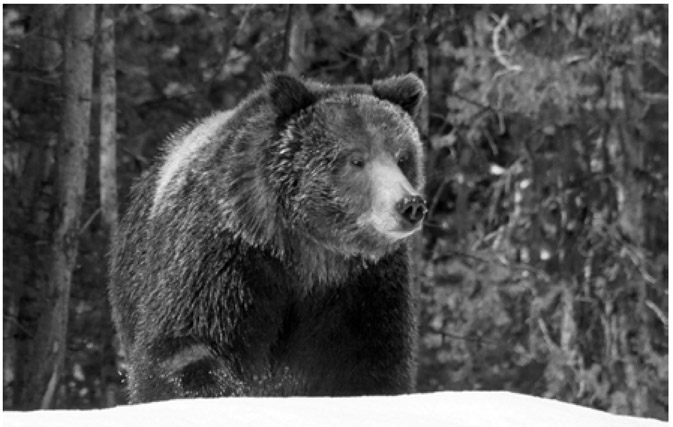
(265, 254)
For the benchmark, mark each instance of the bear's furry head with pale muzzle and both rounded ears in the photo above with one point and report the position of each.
(348, 162)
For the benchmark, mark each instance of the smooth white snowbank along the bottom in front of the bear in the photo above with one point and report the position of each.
(454, 409)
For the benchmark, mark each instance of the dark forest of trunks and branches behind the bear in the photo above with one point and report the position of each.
(543, 264)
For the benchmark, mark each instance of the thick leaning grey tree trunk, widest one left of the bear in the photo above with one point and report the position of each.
(71, 158)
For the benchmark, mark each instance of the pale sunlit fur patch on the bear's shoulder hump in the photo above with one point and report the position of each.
(180, 154)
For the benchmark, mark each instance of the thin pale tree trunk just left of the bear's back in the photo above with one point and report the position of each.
(108, 121)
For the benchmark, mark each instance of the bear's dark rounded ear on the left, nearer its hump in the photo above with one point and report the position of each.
(288, 95)
